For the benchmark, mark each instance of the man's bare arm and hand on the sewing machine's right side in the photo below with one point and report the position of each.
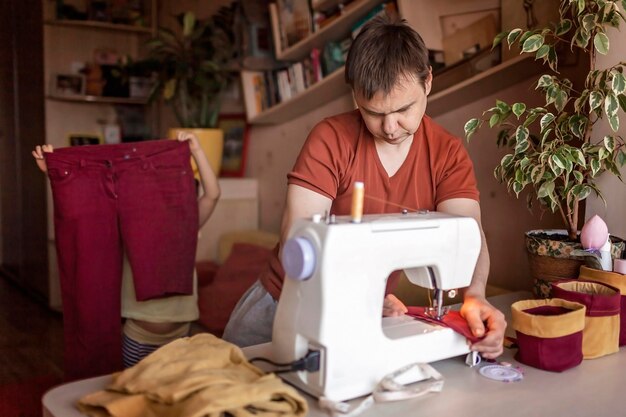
(482, 317)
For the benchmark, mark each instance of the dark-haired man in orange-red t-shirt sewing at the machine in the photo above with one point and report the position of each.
(405, 160)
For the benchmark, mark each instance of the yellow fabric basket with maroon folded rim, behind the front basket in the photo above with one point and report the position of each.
(602, 302)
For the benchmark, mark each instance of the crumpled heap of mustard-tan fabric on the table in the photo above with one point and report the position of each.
(194, 377)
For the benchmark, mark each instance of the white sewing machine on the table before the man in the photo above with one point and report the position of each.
(332, 297)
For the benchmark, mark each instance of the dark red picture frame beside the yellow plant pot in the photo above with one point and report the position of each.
(236, 137)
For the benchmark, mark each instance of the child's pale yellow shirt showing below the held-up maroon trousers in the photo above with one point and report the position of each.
(173, 309)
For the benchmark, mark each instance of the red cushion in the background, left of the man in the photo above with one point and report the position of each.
(240, 270)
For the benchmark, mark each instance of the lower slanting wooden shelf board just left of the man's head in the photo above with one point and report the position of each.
(315, 96)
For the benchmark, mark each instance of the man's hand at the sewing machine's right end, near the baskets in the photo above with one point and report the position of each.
(484, 320)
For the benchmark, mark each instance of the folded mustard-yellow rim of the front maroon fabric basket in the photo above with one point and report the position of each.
(548, 326)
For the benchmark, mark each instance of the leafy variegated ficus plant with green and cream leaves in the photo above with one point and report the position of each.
(554, 153)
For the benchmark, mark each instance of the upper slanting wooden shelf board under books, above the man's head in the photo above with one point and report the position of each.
(335, 31)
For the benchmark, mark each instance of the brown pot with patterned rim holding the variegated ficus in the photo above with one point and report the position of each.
(549, 258)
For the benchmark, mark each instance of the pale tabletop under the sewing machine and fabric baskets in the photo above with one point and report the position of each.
(594, 388)
